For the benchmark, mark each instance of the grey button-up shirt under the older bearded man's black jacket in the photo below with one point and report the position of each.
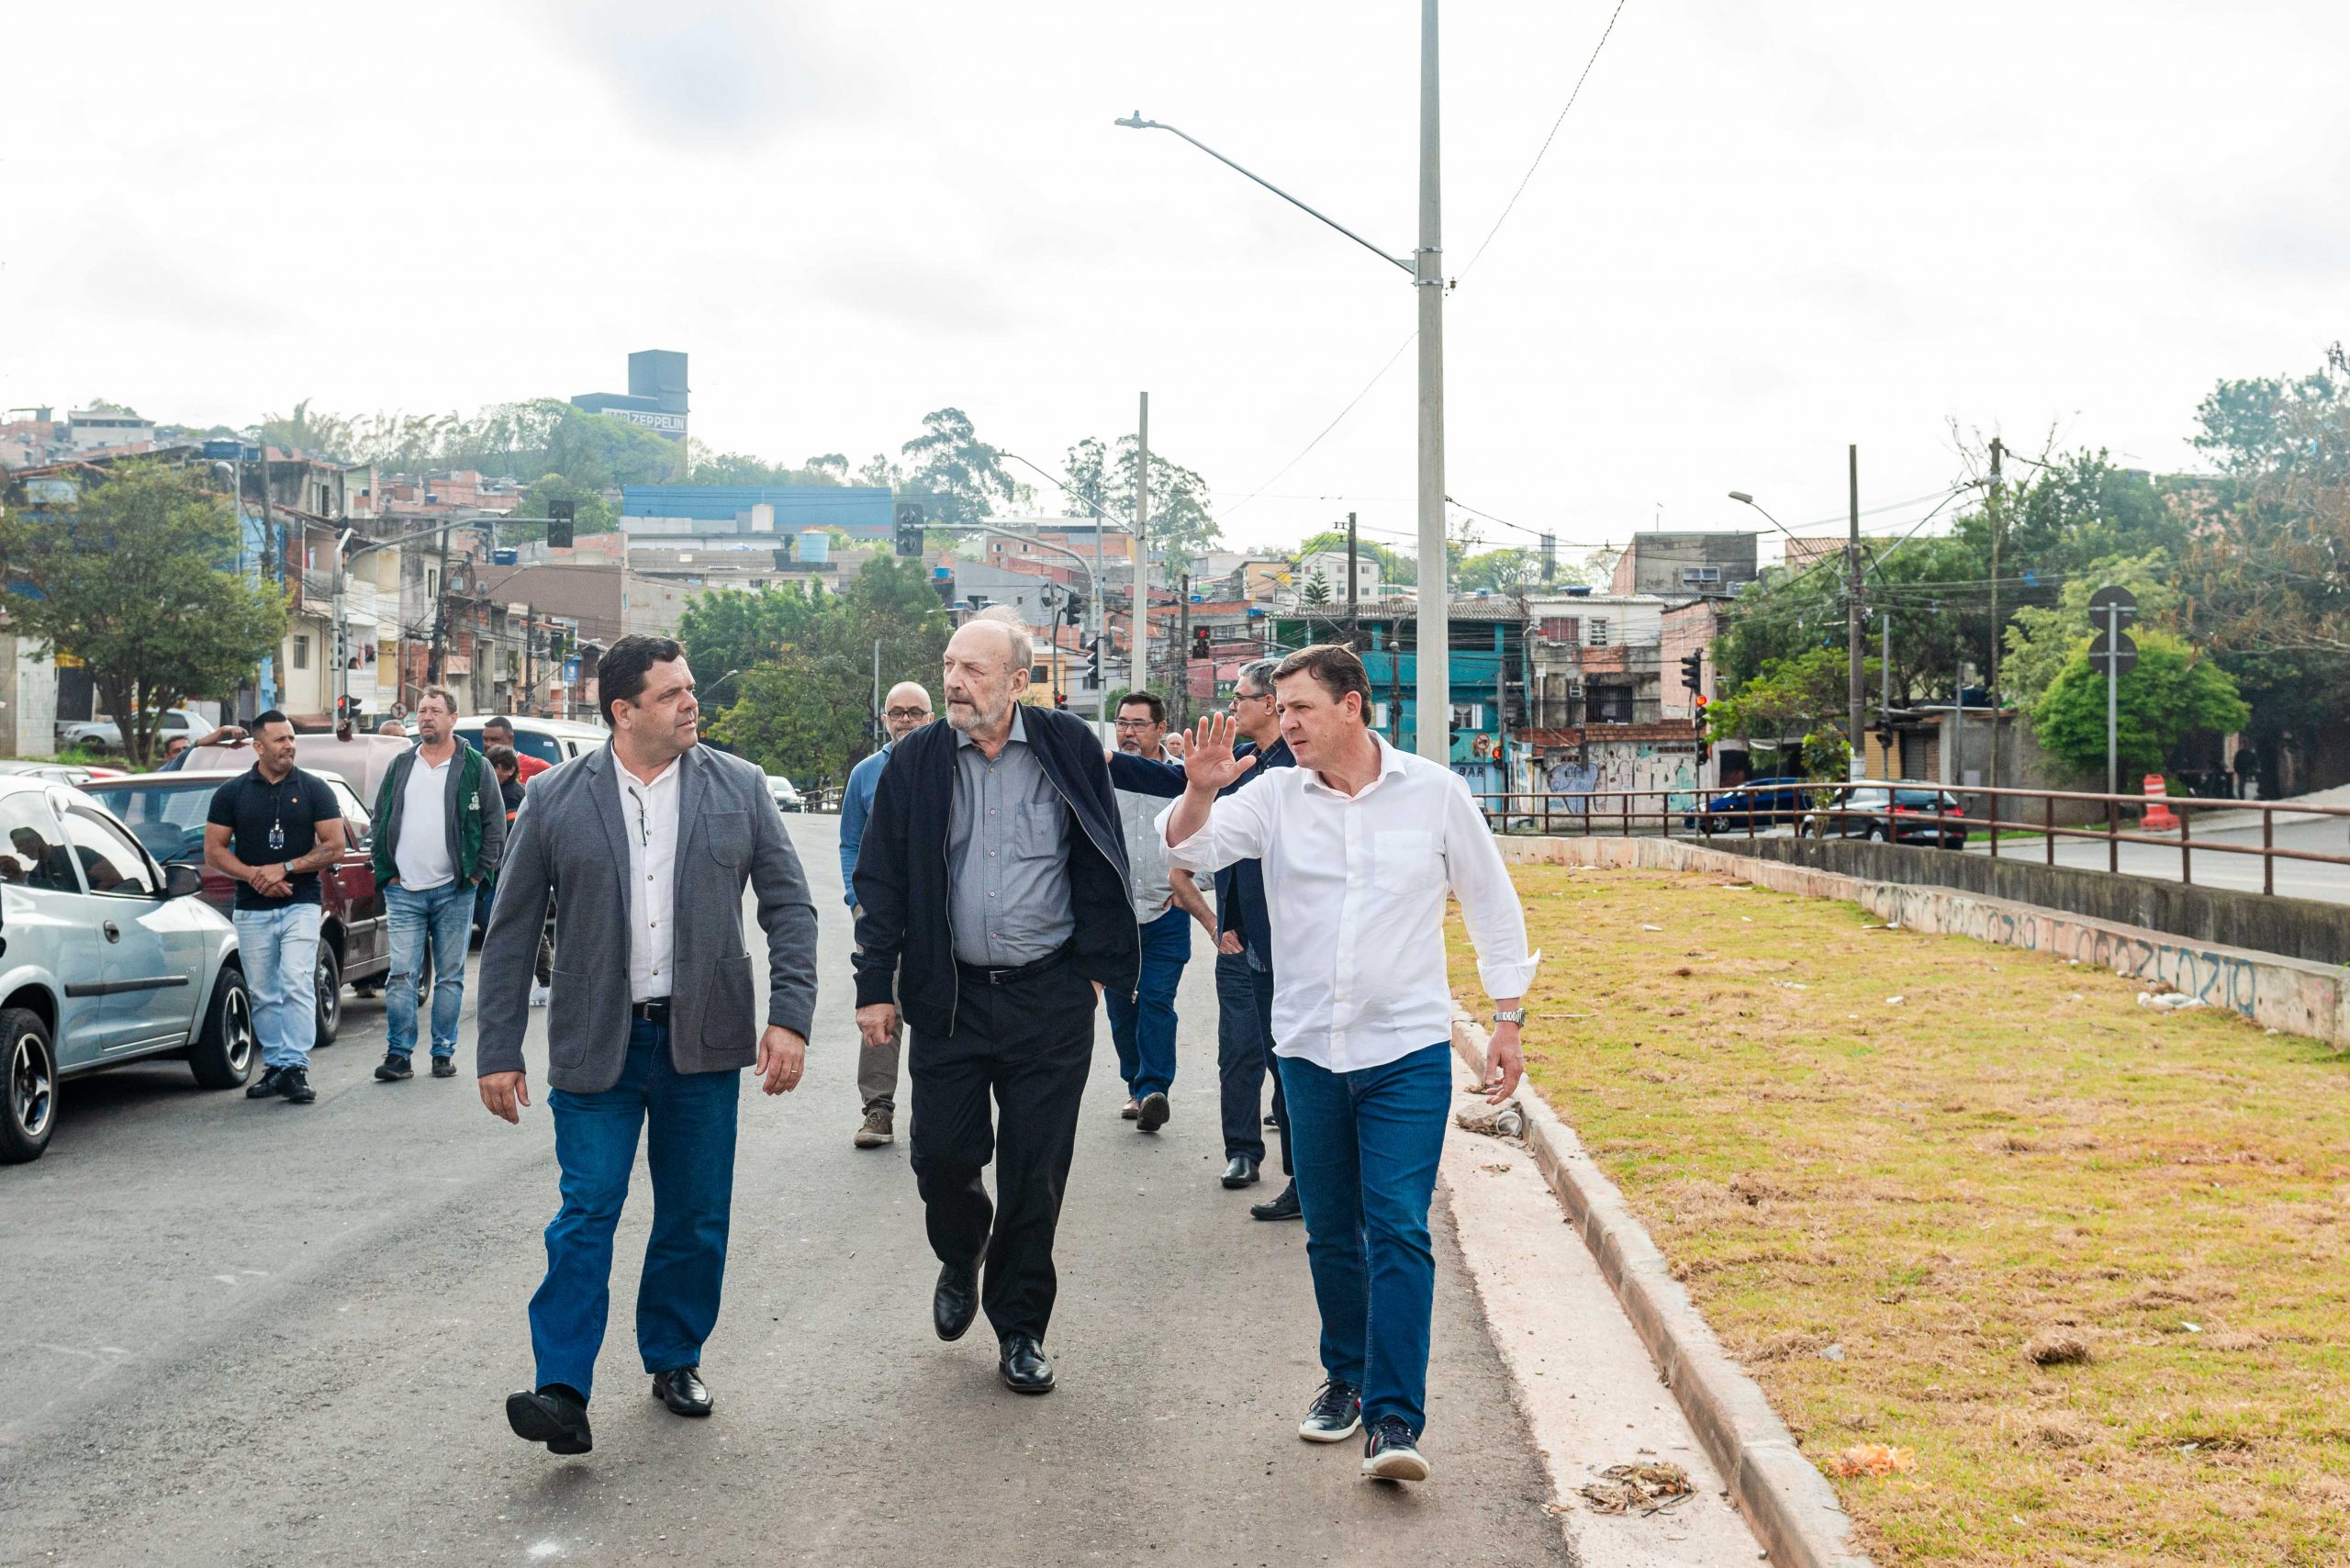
(1009, 852)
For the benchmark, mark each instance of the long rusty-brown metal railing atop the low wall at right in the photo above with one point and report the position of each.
(1696, 815)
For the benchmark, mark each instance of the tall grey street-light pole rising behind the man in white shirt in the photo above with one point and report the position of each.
(1435, 655)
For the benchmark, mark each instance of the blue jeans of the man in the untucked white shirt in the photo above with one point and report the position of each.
(1367, 1151)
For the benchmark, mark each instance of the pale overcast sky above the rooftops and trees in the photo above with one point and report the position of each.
(1759, 236)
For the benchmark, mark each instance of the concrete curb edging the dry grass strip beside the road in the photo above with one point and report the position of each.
(1787, 1503)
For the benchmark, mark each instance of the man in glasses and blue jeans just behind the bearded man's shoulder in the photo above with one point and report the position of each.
(1167, 904)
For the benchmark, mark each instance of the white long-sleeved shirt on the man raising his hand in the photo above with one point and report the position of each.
(1355, 890)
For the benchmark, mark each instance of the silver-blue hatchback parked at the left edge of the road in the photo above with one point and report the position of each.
(105, 958)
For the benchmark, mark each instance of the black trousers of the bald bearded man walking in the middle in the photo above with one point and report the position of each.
(1030, 1045)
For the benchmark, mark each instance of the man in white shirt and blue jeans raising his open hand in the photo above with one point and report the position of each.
(1362, 845)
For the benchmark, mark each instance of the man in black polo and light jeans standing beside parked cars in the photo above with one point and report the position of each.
(274, 831)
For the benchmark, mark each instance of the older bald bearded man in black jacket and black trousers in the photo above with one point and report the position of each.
(995, 909)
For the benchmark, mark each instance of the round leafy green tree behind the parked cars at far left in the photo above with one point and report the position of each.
(133, 582)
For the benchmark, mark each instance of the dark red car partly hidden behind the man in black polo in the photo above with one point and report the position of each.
(166, 812)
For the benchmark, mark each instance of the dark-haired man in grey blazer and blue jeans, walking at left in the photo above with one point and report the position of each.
(645, 850)
